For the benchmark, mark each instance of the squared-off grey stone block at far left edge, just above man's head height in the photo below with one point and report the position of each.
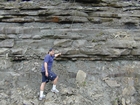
(8, 43)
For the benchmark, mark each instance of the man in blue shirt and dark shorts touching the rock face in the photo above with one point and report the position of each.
(48, 74)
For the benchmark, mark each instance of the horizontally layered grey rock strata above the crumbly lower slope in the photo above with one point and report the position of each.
(86, 32)
